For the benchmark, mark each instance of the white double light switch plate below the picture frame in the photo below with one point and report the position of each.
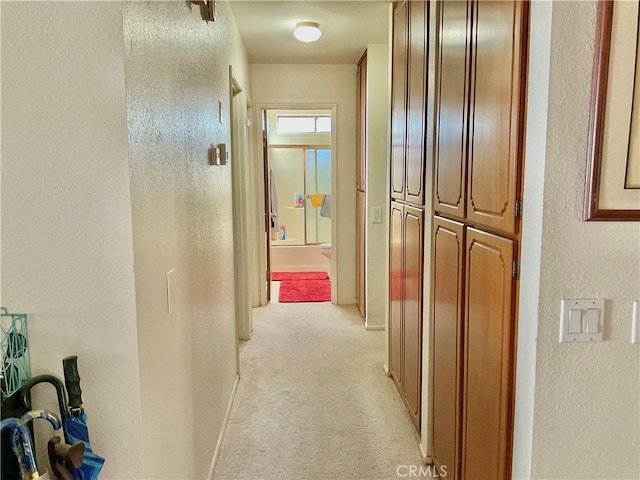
(582, 320)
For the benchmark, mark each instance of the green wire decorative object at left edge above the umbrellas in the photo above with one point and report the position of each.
(16, 368)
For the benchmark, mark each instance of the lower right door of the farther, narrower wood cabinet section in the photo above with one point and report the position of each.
(412, 331)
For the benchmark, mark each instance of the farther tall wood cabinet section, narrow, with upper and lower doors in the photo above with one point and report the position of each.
(409, 88)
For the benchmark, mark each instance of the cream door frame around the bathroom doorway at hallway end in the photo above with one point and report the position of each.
(259, 242)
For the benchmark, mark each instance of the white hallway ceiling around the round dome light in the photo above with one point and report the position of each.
(347, 27)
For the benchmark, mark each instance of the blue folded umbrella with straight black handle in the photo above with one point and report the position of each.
(75, 423)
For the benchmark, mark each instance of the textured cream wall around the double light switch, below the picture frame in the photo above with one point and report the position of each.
(586, 420)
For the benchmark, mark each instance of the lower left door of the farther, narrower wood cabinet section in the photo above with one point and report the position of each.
(396, 293)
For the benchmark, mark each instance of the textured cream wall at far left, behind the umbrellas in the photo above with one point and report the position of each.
(67, 254)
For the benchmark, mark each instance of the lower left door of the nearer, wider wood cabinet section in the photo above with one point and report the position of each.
(446, 344)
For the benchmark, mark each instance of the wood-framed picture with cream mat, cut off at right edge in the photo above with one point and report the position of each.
(614, 119)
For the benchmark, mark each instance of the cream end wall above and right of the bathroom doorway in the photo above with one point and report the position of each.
(324, 84)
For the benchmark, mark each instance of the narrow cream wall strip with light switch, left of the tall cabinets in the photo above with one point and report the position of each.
(377, 180)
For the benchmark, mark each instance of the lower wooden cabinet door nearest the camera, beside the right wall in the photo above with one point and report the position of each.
(488, 356)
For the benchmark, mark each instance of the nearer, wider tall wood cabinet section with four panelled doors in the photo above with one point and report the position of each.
(478, 162)
